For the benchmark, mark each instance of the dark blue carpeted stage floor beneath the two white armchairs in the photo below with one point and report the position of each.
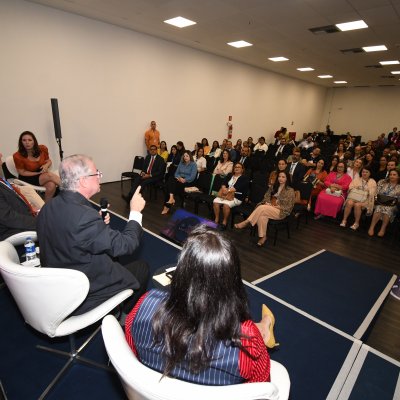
(317, 357)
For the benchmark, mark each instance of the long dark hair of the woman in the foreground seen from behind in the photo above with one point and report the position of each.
(207, 302)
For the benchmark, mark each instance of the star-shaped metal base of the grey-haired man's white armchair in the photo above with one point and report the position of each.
(73, 356)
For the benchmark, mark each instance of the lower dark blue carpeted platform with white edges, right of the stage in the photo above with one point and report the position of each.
(342, 292)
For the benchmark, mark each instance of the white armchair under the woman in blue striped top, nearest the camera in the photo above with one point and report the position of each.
(143, 383)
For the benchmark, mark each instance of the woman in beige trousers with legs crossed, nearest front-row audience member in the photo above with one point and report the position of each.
(278, 203)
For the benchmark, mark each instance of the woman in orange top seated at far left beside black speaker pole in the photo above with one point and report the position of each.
(32, 162)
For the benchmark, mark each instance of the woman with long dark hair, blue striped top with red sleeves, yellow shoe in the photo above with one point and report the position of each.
(201, 330)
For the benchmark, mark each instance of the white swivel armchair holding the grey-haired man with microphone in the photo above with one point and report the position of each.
(47, 296)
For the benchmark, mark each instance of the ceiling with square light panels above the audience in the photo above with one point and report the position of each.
(274, 27)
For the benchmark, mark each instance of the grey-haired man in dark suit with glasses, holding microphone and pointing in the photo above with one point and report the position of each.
(72, 234)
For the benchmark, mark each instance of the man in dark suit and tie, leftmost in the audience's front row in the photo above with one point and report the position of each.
(153, 171)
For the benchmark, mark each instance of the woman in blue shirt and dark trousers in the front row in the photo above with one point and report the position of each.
(184, 176)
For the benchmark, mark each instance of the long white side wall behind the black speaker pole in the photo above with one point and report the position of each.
(110, 82)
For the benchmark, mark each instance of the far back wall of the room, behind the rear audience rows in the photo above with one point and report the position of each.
(363, 111)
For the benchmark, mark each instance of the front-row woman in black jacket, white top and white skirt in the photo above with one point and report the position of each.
(233, 191)
